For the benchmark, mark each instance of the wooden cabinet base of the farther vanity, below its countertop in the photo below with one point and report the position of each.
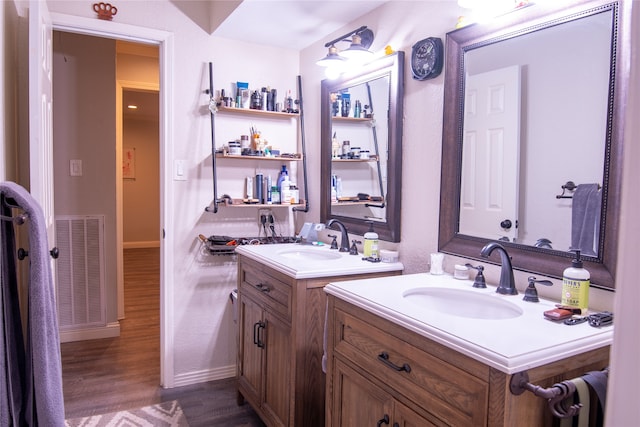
(281, 334)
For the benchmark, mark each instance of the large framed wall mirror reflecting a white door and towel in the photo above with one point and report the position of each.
(534, 103)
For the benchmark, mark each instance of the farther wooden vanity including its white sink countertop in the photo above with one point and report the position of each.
(282, 310)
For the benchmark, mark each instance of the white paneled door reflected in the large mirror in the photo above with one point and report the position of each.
(491, 155)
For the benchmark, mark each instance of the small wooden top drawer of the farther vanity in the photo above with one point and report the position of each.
(273, 292)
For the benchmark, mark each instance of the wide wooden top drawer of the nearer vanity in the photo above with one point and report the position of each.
(457, 397)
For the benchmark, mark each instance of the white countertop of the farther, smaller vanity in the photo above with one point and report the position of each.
(310, 261)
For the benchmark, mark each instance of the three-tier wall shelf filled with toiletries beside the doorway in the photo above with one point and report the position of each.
(249, 157)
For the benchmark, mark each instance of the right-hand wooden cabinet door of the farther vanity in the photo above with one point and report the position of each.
(277, 366)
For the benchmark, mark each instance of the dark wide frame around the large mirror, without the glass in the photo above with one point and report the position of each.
(522, 21)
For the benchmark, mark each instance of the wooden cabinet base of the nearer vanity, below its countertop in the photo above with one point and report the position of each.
(388, 375)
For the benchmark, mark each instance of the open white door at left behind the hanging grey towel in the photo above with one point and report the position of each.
(40, 112)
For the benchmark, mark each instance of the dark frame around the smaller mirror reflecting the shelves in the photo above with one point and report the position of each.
(393, 66)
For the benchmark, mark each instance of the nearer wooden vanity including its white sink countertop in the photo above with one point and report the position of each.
(422, 350)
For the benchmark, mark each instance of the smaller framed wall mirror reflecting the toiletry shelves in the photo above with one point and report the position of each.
(361, 147)
